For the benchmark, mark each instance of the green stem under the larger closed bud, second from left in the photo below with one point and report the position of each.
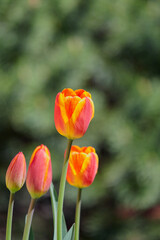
(29, 219)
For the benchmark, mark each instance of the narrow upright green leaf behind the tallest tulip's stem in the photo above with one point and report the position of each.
(54, 203)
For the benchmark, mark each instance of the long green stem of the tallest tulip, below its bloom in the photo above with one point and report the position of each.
(61, 191)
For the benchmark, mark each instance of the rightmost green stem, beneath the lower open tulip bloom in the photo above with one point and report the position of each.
(77, 216)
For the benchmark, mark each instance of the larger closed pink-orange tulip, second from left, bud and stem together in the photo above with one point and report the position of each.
(38, 181)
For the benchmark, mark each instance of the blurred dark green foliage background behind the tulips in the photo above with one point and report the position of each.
(111, 49)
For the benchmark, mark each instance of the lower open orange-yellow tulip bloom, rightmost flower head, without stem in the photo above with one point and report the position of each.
(82, 167)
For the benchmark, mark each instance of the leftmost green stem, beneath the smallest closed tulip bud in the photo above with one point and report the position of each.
(9, 217)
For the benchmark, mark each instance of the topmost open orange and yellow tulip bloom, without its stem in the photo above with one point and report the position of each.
(73, 112)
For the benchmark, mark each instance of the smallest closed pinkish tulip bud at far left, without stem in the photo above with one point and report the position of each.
(16, 173)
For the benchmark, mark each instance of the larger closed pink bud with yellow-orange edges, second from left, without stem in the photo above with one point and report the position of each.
(39, 174)
